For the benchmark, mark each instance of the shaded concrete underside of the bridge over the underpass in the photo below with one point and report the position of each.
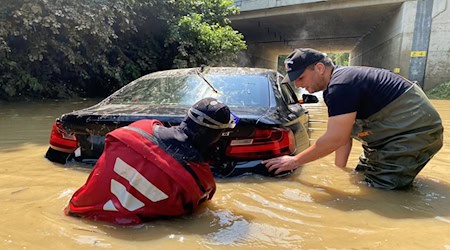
(331, 26)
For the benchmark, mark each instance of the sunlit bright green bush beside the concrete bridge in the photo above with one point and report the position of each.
(201, 33)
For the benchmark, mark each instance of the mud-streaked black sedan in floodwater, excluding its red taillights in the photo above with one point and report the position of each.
(281, 109)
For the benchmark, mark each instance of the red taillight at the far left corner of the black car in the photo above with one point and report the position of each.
(62, 140)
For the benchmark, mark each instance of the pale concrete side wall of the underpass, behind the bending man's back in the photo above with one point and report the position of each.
(389, 44)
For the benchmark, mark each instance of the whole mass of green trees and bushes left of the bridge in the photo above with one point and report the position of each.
(90, 48)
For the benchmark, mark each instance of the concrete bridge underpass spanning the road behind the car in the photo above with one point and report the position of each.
(409, 37)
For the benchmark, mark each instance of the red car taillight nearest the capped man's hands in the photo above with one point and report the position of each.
(263, 144)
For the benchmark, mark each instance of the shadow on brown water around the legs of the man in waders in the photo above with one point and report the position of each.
(426, 198)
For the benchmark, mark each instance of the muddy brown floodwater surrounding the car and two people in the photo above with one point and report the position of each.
(318, 207)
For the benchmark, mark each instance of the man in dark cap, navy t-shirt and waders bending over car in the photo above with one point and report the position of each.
(399, 129)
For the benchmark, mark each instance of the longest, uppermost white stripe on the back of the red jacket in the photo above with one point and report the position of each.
(138, 181)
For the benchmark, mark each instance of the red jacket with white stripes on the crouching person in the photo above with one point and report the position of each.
(136, 180)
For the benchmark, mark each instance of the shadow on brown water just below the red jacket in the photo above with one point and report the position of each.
(213, 224)
